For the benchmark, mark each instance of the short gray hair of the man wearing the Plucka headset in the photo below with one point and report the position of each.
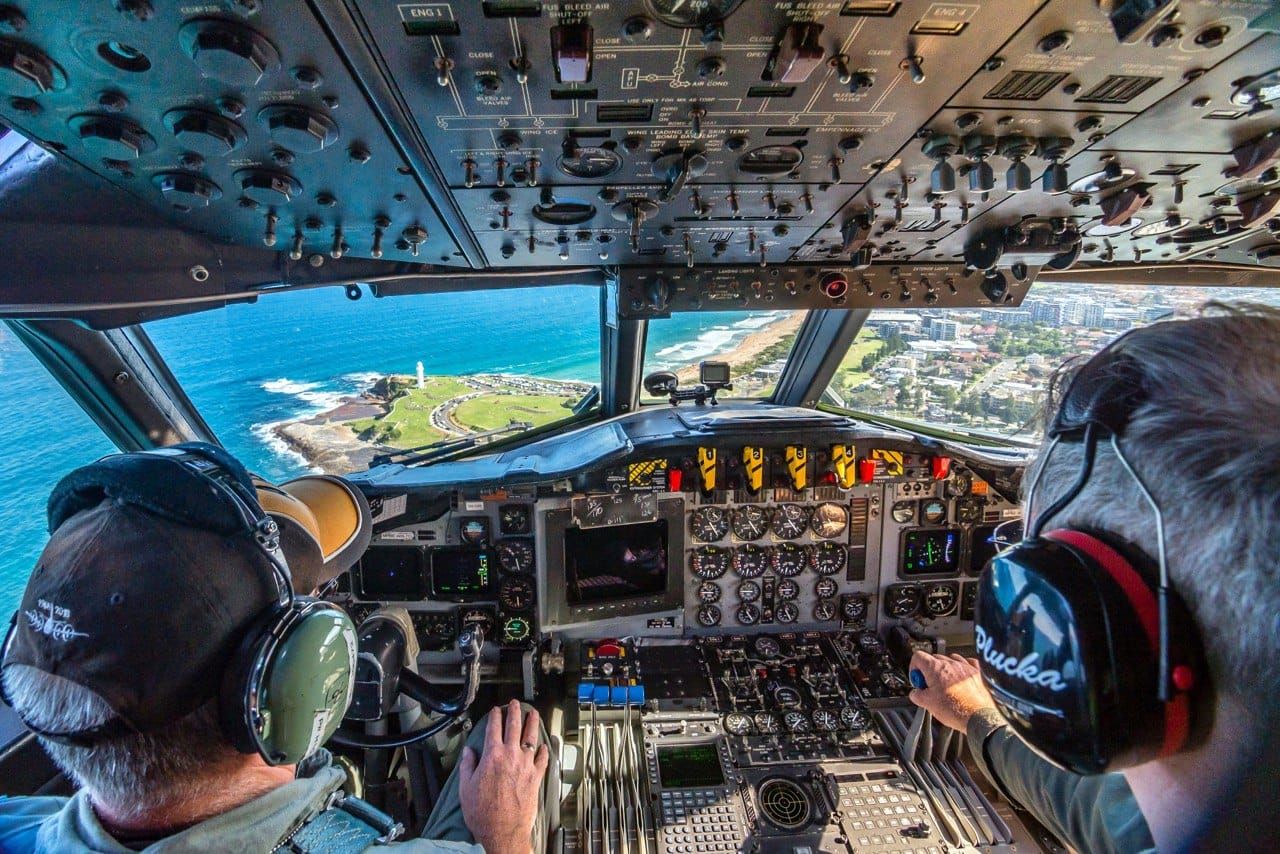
(1208, 445)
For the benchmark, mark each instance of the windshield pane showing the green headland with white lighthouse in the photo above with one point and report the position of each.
(316, 382)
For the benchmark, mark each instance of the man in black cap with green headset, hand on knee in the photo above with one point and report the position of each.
(116, 661)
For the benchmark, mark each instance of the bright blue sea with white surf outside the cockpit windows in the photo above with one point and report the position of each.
(252, 367)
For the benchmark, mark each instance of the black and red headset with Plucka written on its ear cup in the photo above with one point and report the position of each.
(1089, 652)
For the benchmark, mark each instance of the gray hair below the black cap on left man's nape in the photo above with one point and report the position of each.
(134, 774)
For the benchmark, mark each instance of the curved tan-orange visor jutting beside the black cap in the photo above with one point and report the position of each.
(326, 527)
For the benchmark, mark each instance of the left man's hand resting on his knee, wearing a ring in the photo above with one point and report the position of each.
(500, 792)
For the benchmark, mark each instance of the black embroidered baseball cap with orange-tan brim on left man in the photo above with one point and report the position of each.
(152, 581)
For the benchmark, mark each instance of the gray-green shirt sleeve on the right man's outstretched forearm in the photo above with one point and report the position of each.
(1090, 814)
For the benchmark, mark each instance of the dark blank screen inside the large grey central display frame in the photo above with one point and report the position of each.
(615, 563)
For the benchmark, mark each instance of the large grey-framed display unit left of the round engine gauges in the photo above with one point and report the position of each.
(629, 569)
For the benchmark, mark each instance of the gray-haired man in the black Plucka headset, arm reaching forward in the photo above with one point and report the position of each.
(1195, 404)
